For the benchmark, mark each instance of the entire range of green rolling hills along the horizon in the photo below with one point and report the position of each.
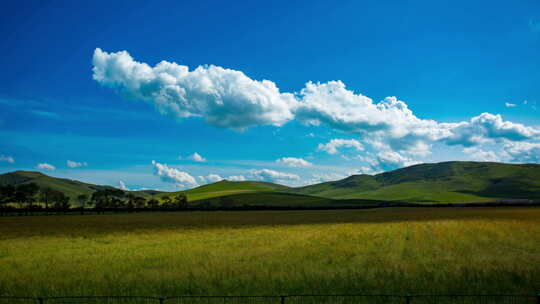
(454, 181)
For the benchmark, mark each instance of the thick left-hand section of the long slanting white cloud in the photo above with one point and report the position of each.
(222, 97)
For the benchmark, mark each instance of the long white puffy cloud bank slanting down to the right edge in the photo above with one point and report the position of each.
(229, 99)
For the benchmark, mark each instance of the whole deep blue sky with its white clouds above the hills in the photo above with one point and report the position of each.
(288, 91)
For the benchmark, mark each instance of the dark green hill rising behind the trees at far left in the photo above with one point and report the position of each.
(69, 187)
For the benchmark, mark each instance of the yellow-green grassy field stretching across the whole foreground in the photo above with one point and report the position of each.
(390, 250)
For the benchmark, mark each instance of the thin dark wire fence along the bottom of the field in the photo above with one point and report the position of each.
(289, 299)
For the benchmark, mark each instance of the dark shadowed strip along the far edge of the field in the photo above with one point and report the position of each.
(84, 225)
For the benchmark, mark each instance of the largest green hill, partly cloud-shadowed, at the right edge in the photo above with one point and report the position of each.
(440, 182)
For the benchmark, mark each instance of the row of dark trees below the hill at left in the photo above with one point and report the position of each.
(32, 197)
